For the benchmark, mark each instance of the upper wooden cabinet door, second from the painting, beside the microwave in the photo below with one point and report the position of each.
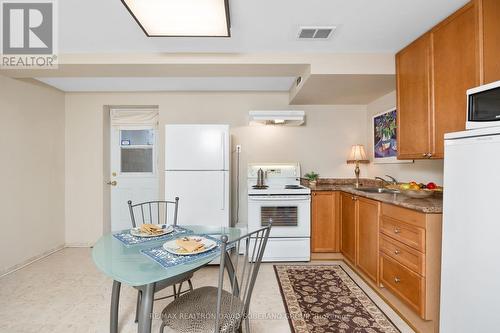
(455, 69)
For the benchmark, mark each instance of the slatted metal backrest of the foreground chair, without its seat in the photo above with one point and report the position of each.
(242, 262)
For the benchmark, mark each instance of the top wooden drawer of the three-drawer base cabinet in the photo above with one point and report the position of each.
(403, 232)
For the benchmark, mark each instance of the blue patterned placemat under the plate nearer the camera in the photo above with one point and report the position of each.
(167, 259)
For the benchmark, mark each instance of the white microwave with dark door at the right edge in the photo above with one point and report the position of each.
(483, 106)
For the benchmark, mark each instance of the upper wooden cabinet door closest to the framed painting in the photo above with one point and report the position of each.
(413, 84)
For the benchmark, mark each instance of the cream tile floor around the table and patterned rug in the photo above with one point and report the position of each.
(66, 293)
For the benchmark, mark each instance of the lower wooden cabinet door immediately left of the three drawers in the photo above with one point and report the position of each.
(367, 237)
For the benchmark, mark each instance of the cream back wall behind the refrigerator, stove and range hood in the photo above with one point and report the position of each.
(322, 145)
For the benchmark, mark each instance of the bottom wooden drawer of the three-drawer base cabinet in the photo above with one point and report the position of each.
(409, 286)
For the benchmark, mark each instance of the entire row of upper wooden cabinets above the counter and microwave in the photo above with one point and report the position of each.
(434, 72)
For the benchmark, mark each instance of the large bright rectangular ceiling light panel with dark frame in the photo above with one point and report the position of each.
(181, 18)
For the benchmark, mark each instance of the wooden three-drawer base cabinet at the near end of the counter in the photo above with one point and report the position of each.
(410, 258)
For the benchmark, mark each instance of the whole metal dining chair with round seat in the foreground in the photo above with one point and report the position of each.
(214, 309)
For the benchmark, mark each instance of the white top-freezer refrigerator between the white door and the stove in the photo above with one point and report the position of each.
(197, 171)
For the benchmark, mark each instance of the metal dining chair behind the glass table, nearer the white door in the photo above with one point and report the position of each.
(157, 212)
